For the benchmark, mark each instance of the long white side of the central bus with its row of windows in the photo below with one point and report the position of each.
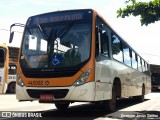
(118, 66)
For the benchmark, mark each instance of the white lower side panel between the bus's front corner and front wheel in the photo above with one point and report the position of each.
(103, 80)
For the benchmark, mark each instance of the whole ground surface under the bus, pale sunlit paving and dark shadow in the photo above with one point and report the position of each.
(126, 109)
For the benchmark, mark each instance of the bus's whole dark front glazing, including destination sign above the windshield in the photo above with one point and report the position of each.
(62, 44)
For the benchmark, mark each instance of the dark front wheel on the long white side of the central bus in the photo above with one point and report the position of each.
(110, 105)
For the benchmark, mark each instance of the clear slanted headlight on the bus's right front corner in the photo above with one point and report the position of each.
(82, 79)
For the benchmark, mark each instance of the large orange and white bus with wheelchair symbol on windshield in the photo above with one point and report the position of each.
(76, 56)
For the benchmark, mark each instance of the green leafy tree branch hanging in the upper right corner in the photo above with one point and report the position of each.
(149, 12)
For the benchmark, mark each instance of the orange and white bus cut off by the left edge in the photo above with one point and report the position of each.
(4, 61)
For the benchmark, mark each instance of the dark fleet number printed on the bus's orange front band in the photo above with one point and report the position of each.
(38, 83)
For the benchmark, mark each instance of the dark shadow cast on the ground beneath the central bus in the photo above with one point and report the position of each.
(93, 111)
